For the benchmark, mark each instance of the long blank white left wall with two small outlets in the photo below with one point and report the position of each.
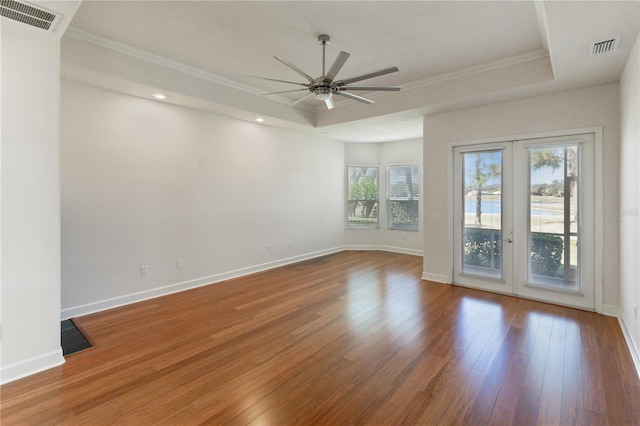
(148, 183)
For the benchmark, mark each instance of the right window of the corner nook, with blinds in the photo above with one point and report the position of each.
(403, 189)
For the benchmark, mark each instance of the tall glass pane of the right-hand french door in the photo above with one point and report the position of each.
(553, 217)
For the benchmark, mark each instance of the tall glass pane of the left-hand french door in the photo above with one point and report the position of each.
(482, 207)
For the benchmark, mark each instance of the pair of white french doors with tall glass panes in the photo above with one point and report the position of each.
(524, 218)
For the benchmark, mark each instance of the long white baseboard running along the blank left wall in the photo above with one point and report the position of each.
(127, 299)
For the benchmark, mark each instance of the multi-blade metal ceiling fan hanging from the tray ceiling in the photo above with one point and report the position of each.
(325, 86)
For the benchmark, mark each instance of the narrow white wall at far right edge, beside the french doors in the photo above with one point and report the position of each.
(630, 199)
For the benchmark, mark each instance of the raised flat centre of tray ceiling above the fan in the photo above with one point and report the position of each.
(236, 39)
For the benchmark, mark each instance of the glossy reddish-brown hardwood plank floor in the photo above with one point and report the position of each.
(351, 338)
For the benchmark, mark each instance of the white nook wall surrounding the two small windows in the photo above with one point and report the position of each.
(383, 155)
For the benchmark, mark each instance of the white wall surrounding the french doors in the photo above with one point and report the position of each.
(595, 106)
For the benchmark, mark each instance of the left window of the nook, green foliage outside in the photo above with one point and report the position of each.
(362, 197)
